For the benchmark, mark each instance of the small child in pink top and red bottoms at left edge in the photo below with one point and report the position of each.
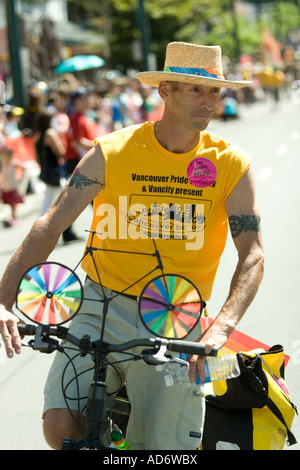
(9, 184)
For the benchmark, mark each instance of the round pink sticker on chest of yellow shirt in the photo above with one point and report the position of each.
(201, 172)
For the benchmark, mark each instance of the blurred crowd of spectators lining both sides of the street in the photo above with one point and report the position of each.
(81, 111)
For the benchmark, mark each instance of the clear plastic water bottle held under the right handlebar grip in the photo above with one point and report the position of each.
(224, 366)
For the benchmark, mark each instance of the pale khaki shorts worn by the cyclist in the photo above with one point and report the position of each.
(162, 418)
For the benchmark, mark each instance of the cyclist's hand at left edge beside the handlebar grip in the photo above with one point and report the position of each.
(9, 331)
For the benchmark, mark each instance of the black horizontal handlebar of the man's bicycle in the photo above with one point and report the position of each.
(180, 346)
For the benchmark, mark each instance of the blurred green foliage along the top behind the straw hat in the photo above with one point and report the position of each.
(199, 21)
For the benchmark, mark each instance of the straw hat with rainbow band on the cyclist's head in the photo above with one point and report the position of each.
(192, 63)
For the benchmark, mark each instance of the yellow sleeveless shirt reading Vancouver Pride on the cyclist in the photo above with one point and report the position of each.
(154, 198)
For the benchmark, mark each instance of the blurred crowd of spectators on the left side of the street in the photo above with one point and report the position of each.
(59, 125)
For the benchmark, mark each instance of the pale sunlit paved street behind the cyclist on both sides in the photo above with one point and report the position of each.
(272, 137)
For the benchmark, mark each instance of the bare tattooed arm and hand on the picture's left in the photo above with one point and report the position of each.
(85, 183)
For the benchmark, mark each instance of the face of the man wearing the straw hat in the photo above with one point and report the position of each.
(192, 105)
